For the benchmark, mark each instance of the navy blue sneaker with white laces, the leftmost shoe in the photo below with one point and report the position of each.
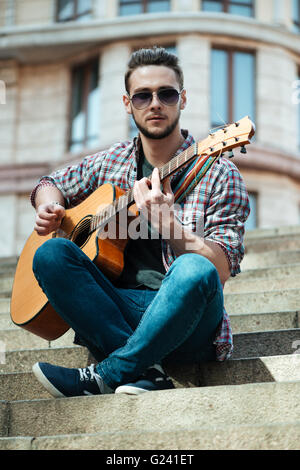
(64, 382)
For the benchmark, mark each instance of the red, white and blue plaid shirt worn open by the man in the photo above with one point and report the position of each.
(219, 202)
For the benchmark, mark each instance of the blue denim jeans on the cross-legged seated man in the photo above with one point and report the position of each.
(133, 329)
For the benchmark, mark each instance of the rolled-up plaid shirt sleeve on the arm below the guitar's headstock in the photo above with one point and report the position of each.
(226, 213)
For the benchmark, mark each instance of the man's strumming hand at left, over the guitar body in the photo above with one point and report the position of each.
(48, 218)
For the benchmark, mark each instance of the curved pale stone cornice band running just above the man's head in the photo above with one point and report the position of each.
(18, 40)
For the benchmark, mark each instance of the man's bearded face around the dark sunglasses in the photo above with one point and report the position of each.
(157, 120)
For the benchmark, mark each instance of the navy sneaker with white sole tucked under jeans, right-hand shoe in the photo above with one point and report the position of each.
(153, 379)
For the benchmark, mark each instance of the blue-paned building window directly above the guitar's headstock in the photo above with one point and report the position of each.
(232, 86)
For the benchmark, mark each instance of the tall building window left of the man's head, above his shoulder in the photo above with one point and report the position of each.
(85, 113)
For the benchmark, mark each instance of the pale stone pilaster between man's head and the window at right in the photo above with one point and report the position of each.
(194, 55)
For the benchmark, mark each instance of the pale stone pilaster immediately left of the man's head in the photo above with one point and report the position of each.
(114, 119)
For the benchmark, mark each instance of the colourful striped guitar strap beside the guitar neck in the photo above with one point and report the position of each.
(191, 178)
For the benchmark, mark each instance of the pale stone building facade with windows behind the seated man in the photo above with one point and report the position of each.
(62, 65)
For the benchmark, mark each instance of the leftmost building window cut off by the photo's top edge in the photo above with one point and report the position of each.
(73, 10)
